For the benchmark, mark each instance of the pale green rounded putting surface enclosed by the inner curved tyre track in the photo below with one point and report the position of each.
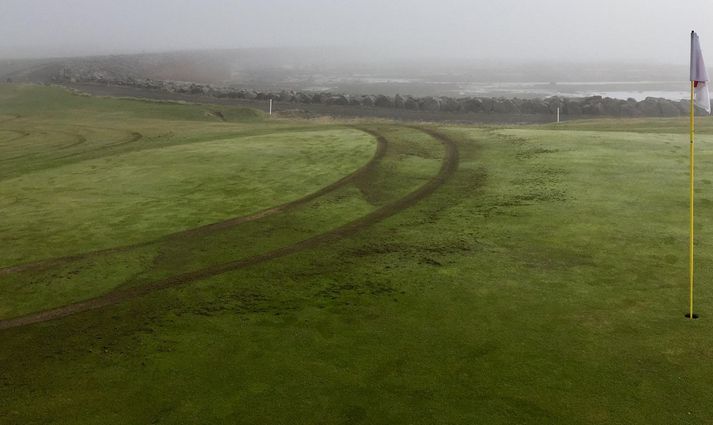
(140, 196)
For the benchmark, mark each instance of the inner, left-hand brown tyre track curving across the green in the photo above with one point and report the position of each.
(213, 227)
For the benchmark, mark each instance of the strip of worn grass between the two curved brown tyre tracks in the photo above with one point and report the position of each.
(399, 172)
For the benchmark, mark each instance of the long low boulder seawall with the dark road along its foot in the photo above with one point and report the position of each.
(407, 108)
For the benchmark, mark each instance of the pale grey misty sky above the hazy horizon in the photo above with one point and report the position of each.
(474, 29)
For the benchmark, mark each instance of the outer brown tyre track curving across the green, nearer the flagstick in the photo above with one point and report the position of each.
(448, 167)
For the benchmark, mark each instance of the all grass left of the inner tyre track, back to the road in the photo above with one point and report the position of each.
(84, 196)
